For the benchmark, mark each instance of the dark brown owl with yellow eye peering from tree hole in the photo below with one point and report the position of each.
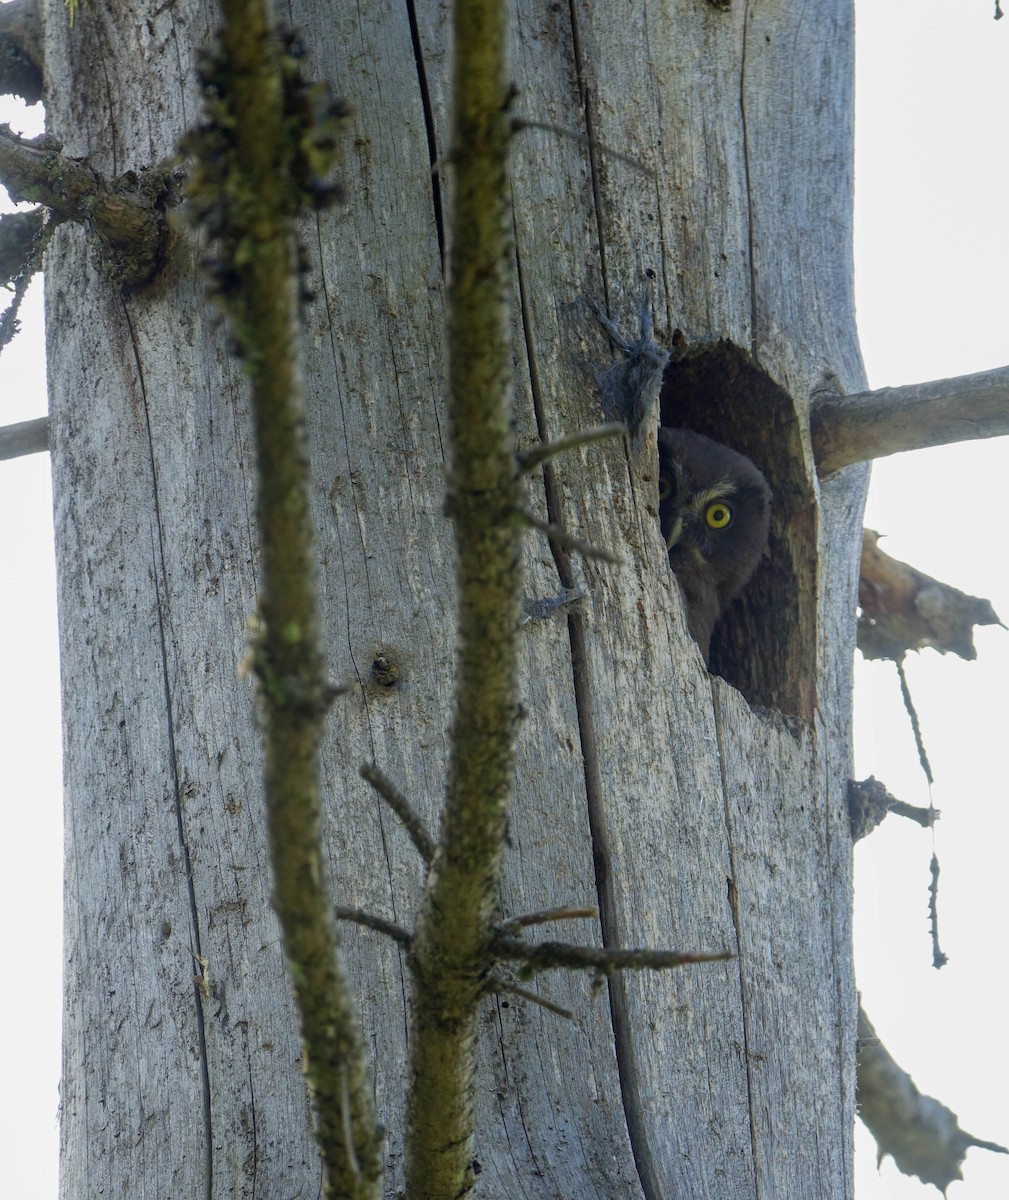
(714, 508)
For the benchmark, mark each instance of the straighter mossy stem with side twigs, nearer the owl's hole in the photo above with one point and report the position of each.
(452, 941)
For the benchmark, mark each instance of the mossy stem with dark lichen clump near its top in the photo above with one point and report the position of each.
(251, 178)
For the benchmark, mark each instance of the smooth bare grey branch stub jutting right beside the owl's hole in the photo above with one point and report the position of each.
(875, 424)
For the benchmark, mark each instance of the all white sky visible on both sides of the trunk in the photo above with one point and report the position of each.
(933, 281)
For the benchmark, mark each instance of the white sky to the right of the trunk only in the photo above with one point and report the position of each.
(933, 287)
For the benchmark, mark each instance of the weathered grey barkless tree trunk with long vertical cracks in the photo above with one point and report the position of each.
(696, 815)
